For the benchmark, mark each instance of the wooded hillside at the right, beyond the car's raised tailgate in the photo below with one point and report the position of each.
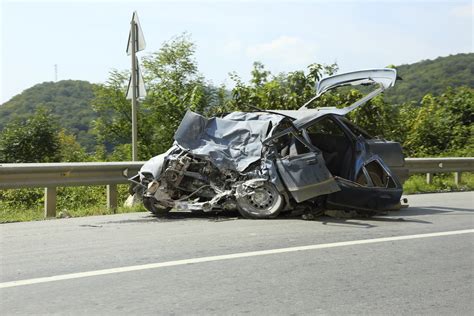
(432, 76)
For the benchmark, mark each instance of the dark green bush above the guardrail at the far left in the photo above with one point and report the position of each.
(34, 139)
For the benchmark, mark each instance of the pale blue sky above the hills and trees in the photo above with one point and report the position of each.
(87, 39)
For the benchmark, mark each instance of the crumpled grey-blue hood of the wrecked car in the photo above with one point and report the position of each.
(232, 142)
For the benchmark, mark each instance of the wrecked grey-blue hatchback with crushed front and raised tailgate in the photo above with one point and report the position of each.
(263, 163)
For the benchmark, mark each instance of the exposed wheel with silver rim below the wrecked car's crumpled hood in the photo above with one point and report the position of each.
(263, 201)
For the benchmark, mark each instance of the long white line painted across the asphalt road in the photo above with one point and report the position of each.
(225, 257)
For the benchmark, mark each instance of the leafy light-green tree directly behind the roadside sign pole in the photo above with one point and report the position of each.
(173, 86)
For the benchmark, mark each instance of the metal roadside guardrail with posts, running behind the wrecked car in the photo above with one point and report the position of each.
(53, 175)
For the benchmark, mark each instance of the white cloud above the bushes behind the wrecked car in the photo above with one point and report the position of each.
(284, 50)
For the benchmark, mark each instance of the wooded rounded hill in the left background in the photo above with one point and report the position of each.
(68, 100)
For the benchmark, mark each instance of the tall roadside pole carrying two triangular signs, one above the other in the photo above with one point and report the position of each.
(136, 86)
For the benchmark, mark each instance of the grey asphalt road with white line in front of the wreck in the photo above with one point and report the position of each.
(350, 266)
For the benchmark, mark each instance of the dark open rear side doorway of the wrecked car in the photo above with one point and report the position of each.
(328, 136)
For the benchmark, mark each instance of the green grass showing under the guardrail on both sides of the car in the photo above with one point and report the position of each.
(27, 204)
